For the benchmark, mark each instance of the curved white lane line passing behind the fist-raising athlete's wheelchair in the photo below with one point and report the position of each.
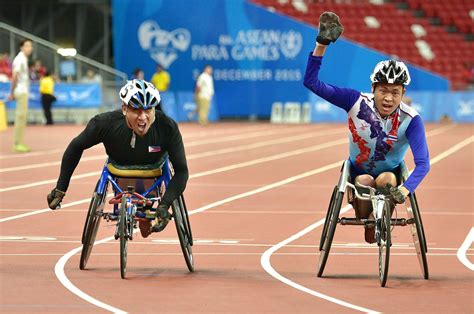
(265, 259)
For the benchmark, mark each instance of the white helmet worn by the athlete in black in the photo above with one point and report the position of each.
(140, 94)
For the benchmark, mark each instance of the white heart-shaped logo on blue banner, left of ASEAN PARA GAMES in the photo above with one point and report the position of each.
(162, 45)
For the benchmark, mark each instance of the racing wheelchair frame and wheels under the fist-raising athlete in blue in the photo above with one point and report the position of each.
(332, 219)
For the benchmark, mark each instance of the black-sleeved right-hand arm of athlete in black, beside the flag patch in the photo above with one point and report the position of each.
(178, 159)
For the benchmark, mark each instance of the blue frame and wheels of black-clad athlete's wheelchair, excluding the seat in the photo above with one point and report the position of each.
(126, 204)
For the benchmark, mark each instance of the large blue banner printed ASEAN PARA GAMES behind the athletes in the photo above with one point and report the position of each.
(259, 57)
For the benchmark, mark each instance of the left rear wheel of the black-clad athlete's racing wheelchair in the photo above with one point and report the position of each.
(91, 226)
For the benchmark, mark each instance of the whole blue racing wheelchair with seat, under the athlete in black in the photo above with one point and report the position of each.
(132, 203)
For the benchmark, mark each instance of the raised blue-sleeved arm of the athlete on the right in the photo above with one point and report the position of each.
(341, 97)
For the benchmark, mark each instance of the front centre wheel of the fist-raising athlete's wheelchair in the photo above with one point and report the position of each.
(384, 242)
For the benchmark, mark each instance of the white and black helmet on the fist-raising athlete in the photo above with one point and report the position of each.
(392, 72)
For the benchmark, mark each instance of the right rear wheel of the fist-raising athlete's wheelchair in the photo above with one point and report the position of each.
(418, 235)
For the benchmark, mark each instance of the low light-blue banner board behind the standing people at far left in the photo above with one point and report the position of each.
(69, 95)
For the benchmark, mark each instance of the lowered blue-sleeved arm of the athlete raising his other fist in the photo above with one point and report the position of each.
(417, 140)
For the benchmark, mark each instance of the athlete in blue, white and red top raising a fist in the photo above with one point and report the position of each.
(381, 127)
